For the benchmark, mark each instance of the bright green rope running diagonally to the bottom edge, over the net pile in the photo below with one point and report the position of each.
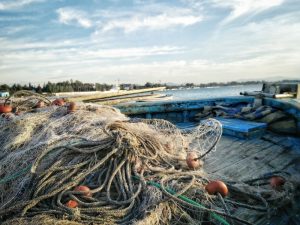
(188, 200)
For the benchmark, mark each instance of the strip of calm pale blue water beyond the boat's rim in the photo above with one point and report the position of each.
(211, 92)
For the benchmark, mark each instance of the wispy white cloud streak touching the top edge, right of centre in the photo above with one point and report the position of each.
(245, 7)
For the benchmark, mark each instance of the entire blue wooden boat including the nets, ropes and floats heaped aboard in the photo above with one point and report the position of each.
(248, 151)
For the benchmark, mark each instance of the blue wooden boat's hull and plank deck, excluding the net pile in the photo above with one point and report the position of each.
(249, 150)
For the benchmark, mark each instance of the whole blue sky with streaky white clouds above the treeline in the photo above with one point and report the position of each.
(136, 41)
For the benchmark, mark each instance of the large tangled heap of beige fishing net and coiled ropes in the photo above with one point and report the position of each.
(96, 166)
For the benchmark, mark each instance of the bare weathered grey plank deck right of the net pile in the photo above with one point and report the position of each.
(257, 155)
